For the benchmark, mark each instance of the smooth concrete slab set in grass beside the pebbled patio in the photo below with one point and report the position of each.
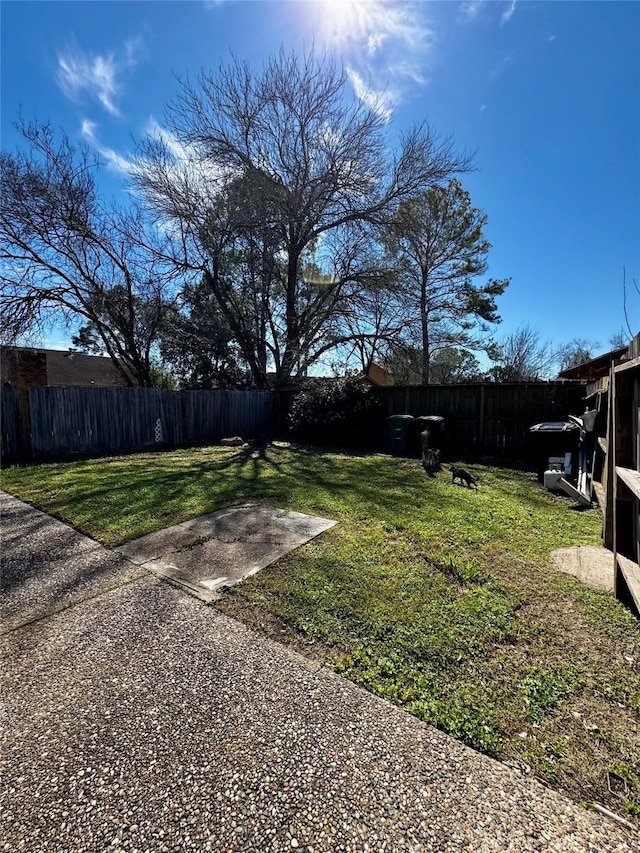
(221, 549)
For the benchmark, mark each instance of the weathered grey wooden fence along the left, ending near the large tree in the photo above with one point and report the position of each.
(48, 423)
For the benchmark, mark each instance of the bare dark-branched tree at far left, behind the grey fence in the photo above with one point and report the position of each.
(65, 254)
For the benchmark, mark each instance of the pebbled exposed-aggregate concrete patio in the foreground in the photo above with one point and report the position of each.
(142, 720)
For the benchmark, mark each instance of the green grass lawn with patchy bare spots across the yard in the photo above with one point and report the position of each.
(439, 598)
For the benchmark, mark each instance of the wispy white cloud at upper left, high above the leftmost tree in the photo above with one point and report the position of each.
(96, 75)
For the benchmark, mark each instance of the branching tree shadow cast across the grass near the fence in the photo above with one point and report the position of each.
(119, 499)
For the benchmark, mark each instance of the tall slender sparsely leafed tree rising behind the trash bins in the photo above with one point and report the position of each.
(438, 236)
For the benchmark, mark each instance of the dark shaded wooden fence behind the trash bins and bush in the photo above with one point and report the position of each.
(491, 418)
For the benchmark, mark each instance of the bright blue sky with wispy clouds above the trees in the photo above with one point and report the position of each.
(546, 93)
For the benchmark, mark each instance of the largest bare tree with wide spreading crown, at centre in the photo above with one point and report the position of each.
(314, 170)
